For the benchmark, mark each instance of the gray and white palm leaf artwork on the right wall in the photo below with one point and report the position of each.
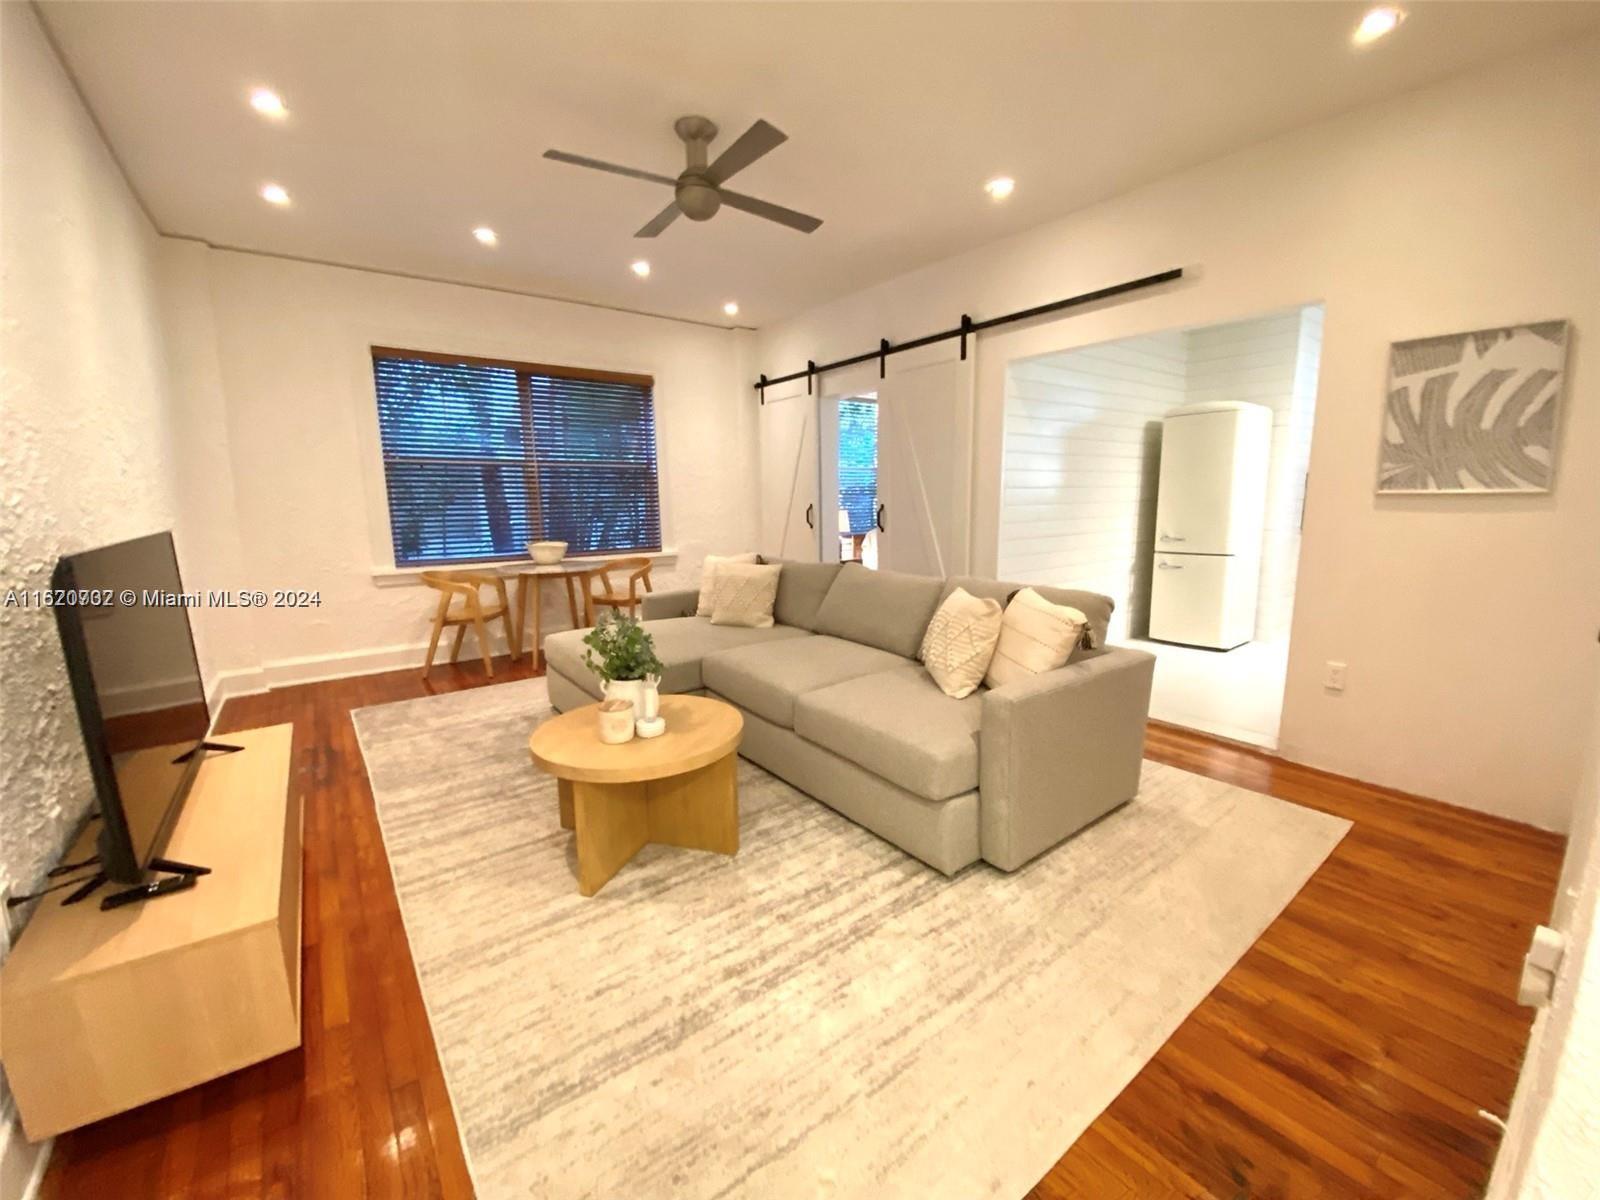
(1474, 412)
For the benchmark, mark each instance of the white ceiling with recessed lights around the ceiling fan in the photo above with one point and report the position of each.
(415, 122)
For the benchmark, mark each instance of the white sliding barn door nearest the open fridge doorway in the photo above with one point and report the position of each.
(926, 463)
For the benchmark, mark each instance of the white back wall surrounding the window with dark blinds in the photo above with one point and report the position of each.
(295, 374)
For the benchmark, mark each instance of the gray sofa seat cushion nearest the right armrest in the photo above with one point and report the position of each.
(898, 724)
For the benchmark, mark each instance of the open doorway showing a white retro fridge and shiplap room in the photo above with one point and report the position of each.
(1169, 473)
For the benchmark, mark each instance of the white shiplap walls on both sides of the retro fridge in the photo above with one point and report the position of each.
(1082, 455)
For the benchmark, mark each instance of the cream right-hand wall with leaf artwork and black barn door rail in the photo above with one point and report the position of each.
(1466, 622)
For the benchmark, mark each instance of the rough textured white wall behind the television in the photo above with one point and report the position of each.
(86, 438)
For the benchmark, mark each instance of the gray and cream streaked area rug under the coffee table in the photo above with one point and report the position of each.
(818, 1017)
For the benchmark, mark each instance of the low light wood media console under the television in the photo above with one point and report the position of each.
(102, 1012)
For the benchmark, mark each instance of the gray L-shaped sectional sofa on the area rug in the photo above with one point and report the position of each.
(836, 703)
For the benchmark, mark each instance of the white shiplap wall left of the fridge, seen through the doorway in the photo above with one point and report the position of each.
(1082, 455)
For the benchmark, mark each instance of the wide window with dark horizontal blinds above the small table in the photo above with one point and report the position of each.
(484, 457)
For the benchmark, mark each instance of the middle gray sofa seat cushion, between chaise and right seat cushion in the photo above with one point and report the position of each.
(767, 679)
